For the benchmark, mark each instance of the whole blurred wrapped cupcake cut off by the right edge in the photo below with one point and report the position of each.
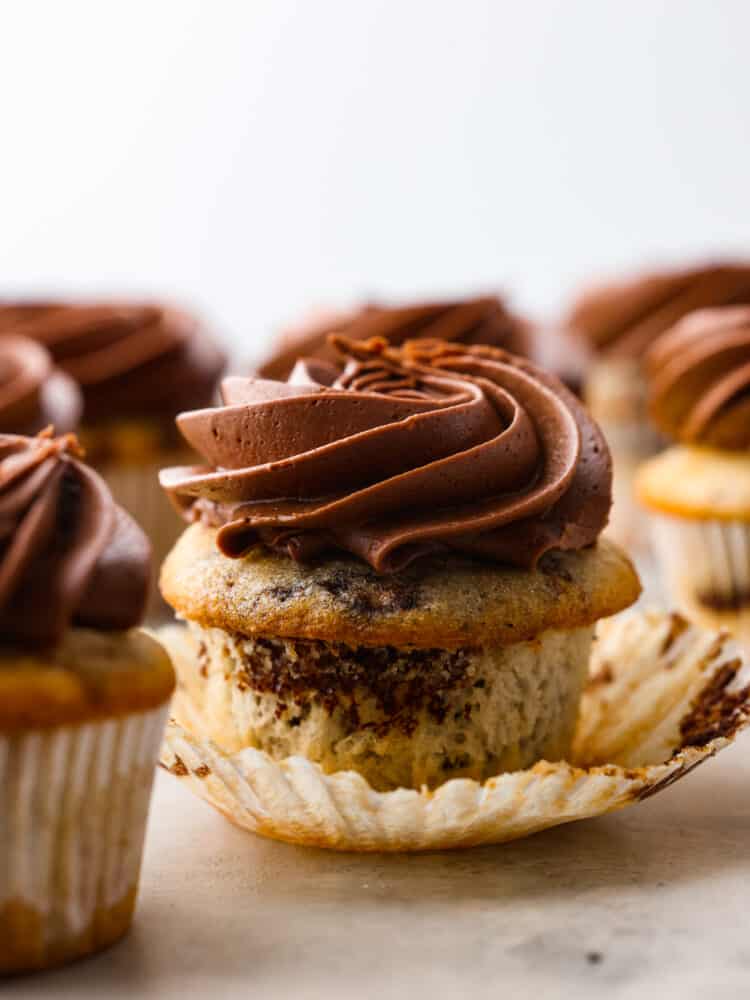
(697, 492)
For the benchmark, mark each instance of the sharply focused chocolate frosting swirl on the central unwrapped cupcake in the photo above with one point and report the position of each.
(428, 448)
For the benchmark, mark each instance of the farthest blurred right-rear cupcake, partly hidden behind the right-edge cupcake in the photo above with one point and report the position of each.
(619, 322)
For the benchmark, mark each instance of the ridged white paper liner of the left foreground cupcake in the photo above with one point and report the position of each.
(73, 807)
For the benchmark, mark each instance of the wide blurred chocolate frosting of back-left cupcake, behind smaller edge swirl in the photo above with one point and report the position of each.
(129, 359)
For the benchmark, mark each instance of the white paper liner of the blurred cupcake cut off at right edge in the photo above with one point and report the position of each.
(705, 567)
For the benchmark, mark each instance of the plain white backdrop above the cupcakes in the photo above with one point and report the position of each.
(255, 158)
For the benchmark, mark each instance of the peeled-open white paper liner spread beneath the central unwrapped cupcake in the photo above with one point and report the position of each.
(663, 696)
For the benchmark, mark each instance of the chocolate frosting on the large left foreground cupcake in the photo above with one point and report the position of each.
(68, 554)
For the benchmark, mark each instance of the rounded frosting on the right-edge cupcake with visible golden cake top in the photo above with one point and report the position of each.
(699, 379)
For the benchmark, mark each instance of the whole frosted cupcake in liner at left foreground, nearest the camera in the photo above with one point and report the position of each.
(83, 701)
